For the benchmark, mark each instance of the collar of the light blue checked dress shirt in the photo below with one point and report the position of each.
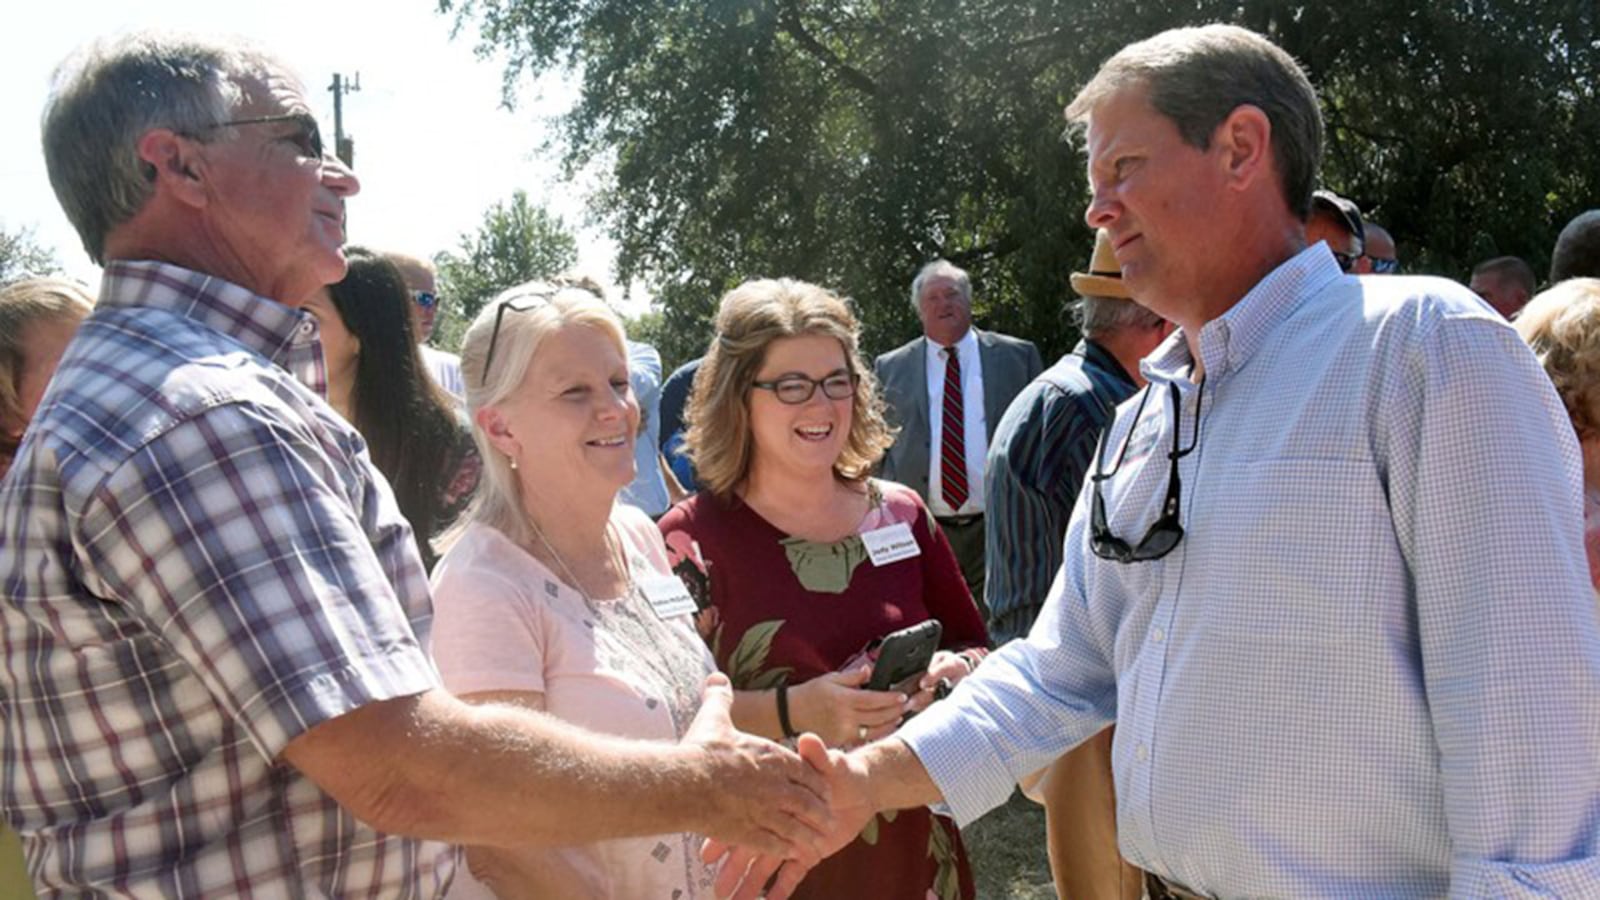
(1230, 340)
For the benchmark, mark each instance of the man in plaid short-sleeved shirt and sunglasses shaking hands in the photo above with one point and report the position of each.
(215, 619)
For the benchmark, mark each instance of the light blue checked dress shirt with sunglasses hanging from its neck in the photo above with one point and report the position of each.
(1372, 667)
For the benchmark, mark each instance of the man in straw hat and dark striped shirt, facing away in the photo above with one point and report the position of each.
(1041, 454)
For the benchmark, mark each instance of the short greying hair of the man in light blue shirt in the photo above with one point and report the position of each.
(1199, 76)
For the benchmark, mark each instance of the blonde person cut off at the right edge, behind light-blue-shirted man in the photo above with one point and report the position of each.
(1562, 326)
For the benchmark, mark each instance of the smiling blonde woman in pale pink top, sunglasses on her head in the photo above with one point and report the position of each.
(558, 598)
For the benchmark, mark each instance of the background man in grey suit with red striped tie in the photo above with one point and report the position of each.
(945, 390)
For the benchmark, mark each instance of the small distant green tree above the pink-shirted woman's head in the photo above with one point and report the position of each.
(518, 243)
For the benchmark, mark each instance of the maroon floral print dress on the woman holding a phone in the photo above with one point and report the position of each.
(783, 609)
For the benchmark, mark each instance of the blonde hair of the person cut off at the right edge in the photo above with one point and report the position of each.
(1562, 326)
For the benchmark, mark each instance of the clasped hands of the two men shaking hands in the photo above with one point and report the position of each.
(772, 814)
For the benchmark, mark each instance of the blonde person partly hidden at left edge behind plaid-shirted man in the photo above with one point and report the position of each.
(38, 321)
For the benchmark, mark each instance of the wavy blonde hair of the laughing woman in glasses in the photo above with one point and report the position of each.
(750, 319)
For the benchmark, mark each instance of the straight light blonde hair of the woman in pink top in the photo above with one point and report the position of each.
(527, 315)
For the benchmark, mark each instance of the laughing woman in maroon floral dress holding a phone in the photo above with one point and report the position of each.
(802, 560)
